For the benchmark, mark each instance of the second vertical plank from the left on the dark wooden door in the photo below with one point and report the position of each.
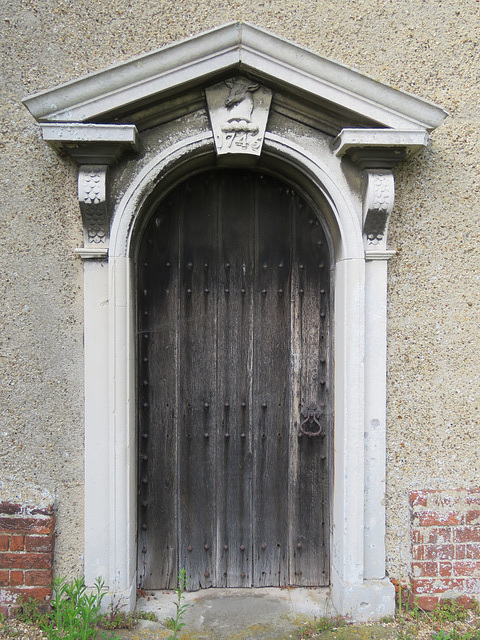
(197, 433)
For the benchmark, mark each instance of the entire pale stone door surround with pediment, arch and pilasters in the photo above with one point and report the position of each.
(247, 98)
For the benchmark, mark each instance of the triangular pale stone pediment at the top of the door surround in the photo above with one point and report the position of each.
(170, 82)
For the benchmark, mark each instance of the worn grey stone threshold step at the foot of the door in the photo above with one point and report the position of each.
(267, 612)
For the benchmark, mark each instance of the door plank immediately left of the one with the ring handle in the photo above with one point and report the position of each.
(270, 410)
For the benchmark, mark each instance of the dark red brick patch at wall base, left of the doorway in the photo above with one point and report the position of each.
(26, 553)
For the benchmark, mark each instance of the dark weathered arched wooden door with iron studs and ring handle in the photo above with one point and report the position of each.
(233, 356)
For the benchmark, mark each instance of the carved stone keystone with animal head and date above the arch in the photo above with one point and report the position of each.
(238, 110)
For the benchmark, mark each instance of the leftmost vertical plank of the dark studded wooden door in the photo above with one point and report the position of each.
(157, 311)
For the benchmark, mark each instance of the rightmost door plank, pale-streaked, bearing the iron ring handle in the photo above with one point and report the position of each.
(309, 484)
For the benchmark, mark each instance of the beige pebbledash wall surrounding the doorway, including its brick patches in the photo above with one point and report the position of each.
(427, 48)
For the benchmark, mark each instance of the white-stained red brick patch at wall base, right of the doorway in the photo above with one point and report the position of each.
(445, 536)
